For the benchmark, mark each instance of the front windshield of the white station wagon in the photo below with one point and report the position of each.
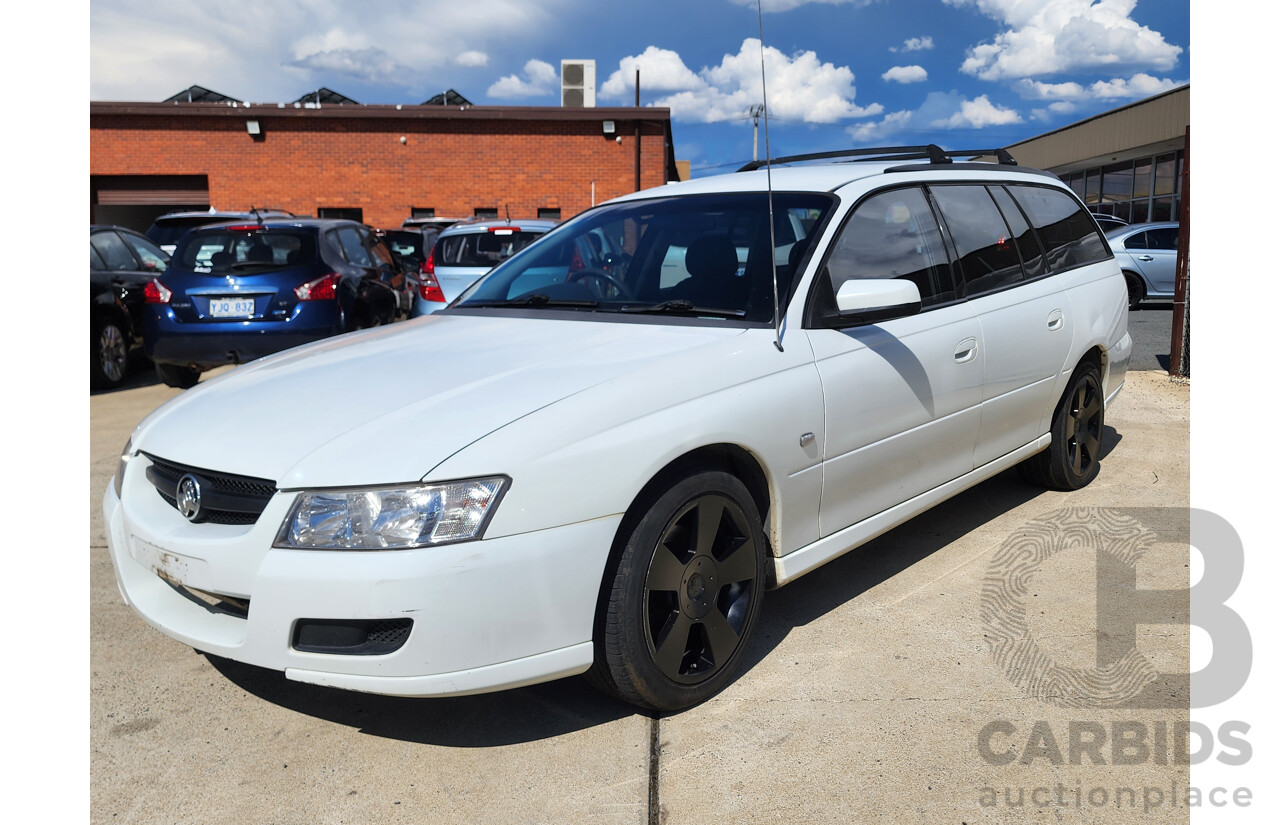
(691, 255)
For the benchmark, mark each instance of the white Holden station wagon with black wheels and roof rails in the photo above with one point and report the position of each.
(659, 411)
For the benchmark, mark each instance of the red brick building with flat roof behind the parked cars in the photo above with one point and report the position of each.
(378, 164)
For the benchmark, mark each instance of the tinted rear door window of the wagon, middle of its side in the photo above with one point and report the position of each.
(989, 259)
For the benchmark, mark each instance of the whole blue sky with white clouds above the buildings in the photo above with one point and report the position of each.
(962, 74)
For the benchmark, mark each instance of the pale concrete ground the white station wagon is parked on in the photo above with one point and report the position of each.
(876, 689)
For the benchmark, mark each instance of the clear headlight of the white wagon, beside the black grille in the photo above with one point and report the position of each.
(391, 519)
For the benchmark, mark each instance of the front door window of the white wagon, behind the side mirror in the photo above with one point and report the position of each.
(893, 235)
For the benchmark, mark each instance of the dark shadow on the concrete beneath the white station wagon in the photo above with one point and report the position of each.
(569, 705)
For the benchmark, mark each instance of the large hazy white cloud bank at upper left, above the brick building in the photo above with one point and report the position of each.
(278, 51)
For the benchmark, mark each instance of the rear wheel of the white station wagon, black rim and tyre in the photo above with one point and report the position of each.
(1072, 459)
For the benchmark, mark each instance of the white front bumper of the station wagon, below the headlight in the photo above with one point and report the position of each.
(486, 615)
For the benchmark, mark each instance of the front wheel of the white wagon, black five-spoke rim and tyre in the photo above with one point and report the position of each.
(685, 597)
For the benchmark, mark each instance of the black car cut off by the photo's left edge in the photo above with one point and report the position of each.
(121, 264)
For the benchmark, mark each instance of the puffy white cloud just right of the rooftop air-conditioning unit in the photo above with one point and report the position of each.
(802, 88)
